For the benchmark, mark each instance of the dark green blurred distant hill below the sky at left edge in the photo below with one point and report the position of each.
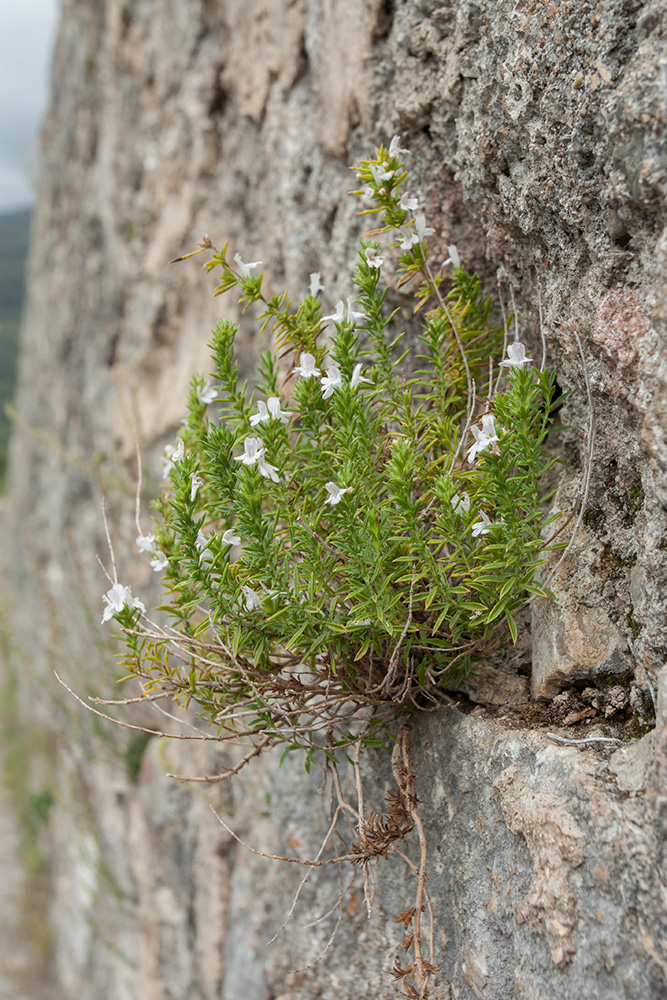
(14, 237)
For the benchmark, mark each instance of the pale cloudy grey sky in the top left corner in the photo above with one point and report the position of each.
(27, 32)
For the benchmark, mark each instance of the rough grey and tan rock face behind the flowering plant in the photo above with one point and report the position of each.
(539, 146)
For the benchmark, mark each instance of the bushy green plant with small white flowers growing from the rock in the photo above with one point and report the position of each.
(343, 539)
